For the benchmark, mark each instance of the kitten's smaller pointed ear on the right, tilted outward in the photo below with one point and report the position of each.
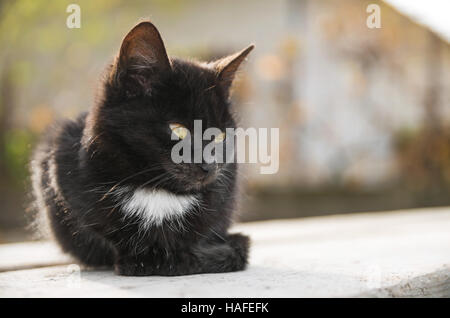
(227, 67)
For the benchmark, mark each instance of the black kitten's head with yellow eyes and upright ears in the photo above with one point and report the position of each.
(148, 97)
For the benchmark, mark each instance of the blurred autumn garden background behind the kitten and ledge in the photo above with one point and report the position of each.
(364, 114)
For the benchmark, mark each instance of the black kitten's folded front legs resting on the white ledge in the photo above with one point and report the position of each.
(205, 257)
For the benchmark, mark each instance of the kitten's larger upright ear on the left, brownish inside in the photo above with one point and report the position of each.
(142, 58)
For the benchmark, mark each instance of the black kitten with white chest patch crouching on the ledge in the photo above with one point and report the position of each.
(108, 186)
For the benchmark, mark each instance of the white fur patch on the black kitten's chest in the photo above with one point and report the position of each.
(153, 206)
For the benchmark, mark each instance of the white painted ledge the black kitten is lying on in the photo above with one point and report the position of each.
(392, 254)
